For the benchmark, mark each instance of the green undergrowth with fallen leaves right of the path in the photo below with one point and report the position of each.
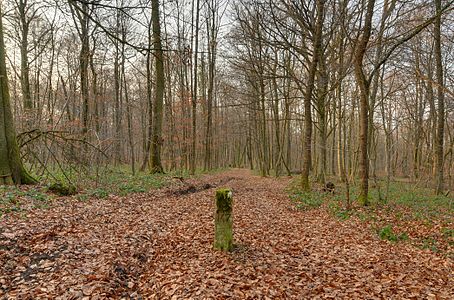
(402, 213)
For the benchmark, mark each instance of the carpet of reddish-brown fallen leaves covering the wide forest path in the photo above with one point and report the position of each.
(158, 245)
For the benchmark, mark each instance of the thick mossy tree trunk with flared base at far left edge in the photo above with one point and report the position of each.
(11, 167)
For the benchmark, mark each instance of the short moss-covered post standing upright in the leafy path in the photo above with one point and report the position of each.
(223, 239)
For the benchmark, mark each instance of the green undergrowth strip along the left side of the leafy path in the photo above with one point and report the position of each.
(91, 184)
